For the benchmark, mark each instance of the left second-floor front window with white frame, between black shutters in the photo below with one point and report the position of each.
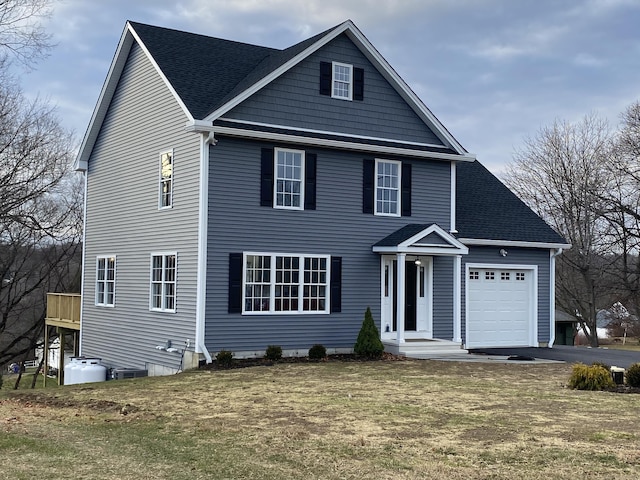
(289, 181)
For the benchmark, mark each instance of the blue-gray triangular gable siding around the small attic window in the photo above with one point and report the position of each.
(294, 100)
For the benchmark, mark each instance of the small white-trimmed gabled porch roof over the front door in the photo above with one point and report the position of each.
(416, 244)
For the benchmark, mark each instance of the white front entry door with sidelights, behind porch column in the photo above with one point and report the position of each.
(417, 298)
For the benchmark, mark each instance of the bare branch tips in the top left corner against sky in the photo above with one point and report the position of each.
(21, 32)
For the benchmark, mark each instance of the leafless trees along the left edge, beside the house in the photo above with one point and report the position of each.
(40, 199)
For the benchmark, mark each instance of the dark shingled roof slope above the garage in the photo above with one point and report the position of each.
(487, 211)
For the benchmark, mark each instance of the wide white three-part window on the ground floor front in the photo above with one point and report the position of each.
(284, 283)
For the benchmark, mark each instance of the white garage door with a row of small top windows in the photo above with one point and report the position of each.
(499, 307)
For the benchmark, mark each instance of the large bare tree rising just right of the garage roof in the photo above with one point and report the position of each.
(562, 173)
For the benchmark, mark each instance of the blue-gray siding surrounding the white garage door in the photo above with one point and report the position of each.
(516, 256)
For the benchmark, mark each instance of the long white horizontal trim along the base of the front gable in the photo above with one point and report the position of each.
(320, 142)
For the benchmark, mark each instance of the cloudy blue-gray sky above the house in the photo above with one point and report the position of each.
(493, 71)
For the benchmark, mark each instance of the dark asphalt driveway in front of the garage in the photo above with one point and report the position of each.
(563, 353)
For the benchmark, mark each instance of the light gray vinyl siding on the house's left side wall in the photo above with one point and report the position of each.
(123, 219)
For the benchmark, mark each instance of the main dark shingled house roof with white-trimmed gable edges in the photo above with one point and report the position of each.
(209, 76)
